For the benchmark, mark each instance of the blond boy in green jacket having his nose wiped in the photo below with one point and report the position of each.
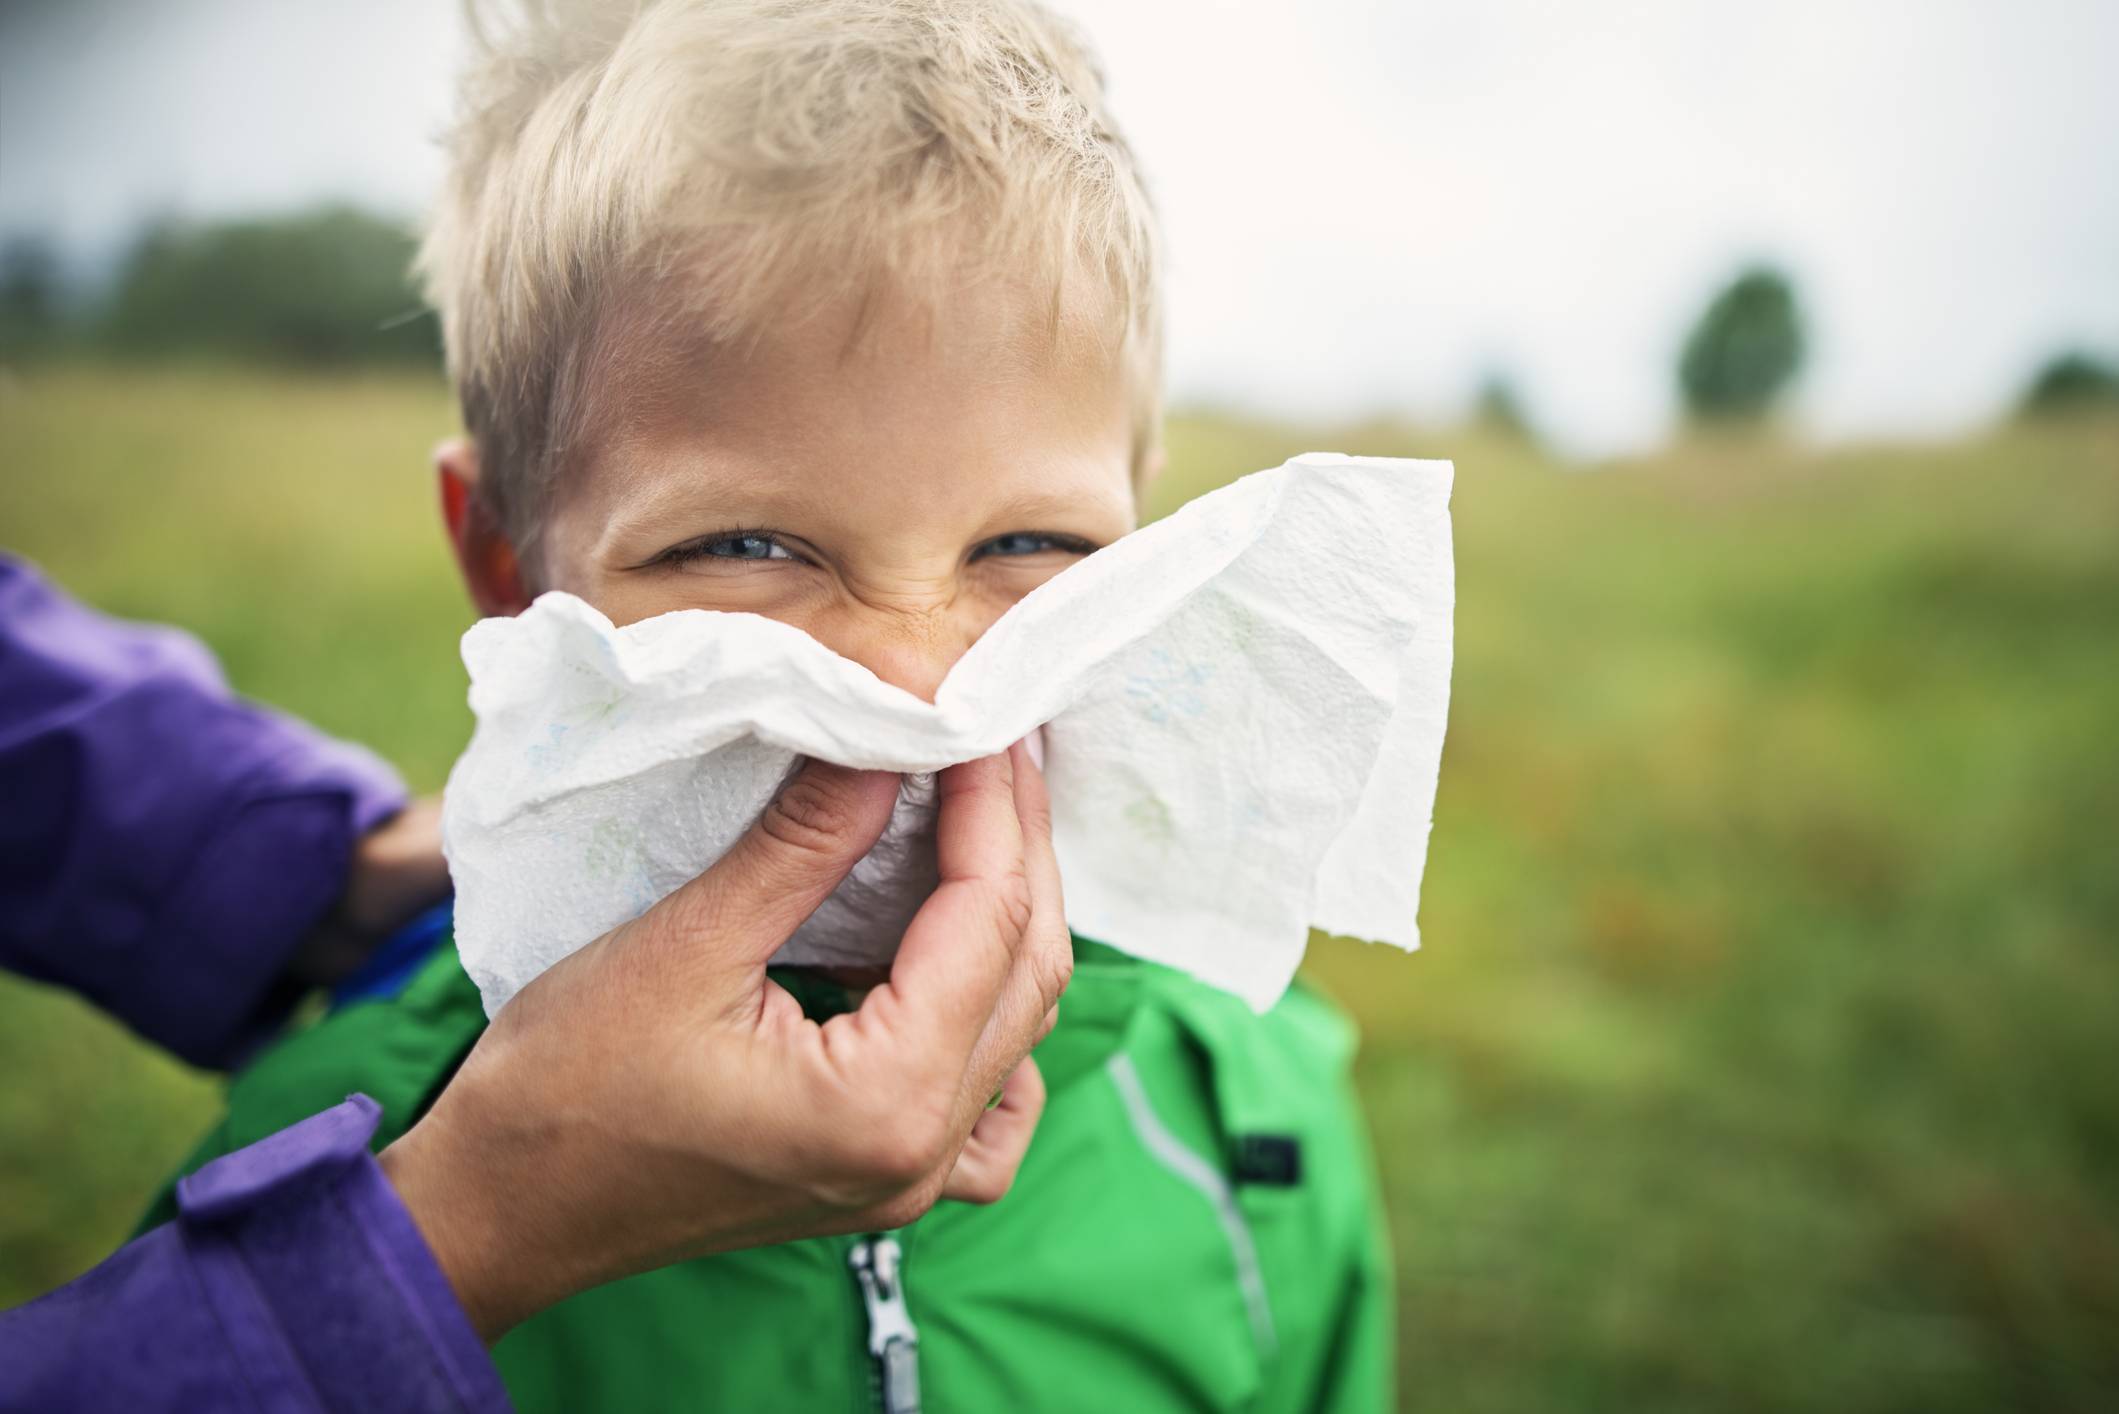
(847, 313)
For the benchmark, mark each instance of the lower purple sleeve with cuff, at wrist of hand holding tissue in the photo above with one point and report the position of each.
(293, 1279)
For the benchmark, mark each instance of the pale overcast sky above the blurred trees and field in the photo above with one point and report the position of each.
(1370, 205)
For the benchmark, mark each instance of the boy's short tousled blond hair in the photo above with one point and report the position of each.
(758, 154)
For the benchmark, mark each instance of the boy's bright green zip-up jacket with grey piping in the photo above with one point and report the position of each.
(1194, 1229)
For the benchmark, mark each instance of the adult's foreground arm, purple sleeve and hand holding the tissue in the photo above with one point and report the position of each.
(649, 1099)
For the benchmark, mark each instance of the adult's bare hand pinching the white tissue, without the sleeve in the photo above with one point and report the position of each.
(656, 1097)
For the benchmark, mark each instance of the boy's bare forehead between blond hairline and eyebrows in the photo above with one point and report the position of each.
(993, 387)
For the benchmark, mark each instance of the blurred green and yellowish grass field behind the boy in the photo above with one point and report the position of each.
(1764, 1048)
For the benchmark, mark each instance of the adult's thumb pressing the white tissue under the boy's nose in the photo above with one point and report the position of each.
(813, 834)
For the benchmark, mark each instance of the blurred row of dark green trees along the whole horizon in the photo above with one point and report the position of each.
(332, 289)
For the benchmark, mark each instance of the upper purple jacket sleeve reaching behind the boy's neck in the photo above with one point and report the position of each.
(164, 847)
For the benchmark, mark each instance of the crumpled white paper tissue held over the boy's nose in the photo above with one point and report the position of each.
(1243, 718)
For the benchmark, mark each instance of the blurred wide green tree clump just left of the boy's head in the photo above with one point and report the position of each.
(325, 287)
